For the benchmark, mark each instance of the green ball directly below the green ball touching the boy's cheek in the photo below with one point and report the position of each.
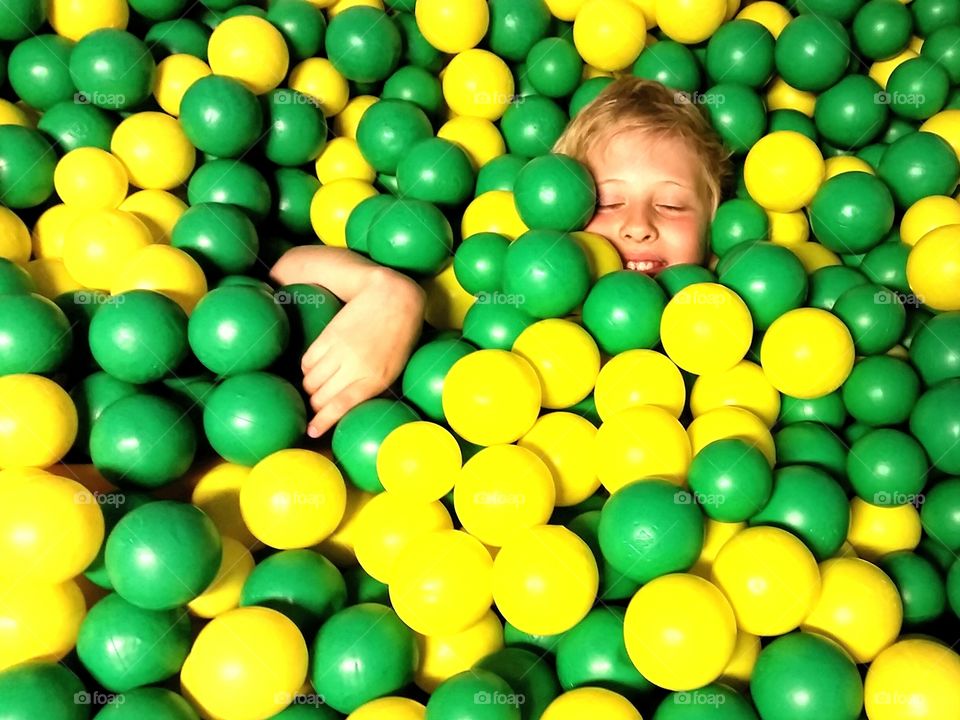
(547, 272)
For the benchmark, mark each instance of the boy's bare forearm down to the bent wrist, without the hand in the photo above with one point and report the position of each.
(342, 271)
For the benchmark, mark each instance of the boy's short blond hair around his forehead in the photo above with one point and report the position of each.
(631, 103)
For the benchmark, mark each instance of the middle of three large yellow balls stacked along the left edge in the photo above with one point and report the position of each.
(51, 528)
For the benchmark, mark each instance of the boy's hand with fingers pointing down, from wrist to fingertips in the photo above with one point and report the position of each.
(364, 348)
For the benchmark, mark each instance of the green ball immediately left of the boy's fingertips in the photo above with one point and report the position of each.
(251, 415)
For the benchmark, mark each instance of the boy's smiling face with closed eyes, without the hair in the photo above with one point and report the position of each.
(650, 200)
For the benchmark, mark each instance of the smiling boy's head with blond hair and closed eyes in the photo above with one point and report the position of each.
(659, 167)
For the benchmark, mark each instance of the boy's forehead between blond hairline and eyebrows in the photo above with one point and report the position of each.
(631, 153)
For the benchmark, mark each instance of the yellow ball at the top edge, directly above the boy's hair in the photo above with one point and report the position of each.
(609, 34)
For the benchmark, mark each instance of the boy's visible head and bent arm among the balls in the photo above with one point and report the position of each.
(659, 169)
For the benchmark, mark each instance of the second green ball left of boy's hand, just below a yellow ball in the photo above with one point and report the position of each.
(139, 336)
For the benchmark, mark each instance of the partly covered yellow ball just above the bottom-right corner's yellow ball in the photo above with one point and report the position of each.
(859, 607)
